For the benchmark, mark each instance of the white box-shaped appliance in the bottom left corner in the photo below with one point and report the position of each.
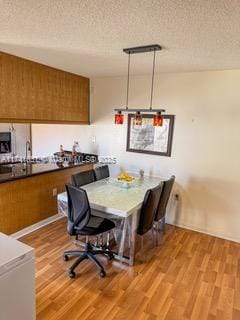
(17, 280)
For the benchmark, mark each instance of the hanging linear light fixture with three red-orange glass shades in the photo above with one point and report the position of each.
(137, 120)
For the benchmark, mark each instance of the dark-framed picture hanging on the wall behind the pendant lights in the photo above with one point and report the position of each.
(149, 139)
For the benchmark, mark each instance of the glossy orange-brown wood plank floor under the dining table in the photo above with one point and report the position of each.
(189, 276)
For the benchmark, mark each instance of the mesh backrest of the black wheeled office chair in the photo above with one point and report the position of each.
(79, 211)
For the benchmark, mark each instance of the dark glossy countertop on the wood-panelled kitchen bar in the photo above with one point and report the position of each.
(21, 171)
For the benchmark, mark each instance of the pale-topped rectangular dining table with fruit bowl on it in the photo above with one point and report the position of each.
(115, 200)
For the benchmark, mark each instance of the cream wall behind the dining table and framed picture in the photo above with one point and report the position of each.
(205, 155)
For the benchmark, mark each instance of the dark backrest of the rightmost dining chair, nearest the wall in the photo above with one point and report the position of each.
(161, 210)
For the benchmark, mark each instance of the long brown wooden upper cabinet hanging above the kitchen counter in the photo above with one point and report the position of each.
(32, 92)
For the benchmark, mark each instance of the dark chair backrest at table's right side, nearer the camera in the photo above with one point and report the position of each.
(149, 208)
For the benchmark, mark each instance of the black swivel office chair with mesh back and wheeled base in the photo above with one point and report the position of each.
(81, 221)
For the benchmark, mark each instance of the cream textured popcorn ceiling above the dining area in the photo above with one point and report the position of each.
(87, 36)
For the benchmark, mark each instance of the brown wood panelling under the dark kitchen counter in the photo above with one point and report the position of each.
(26, 201)
